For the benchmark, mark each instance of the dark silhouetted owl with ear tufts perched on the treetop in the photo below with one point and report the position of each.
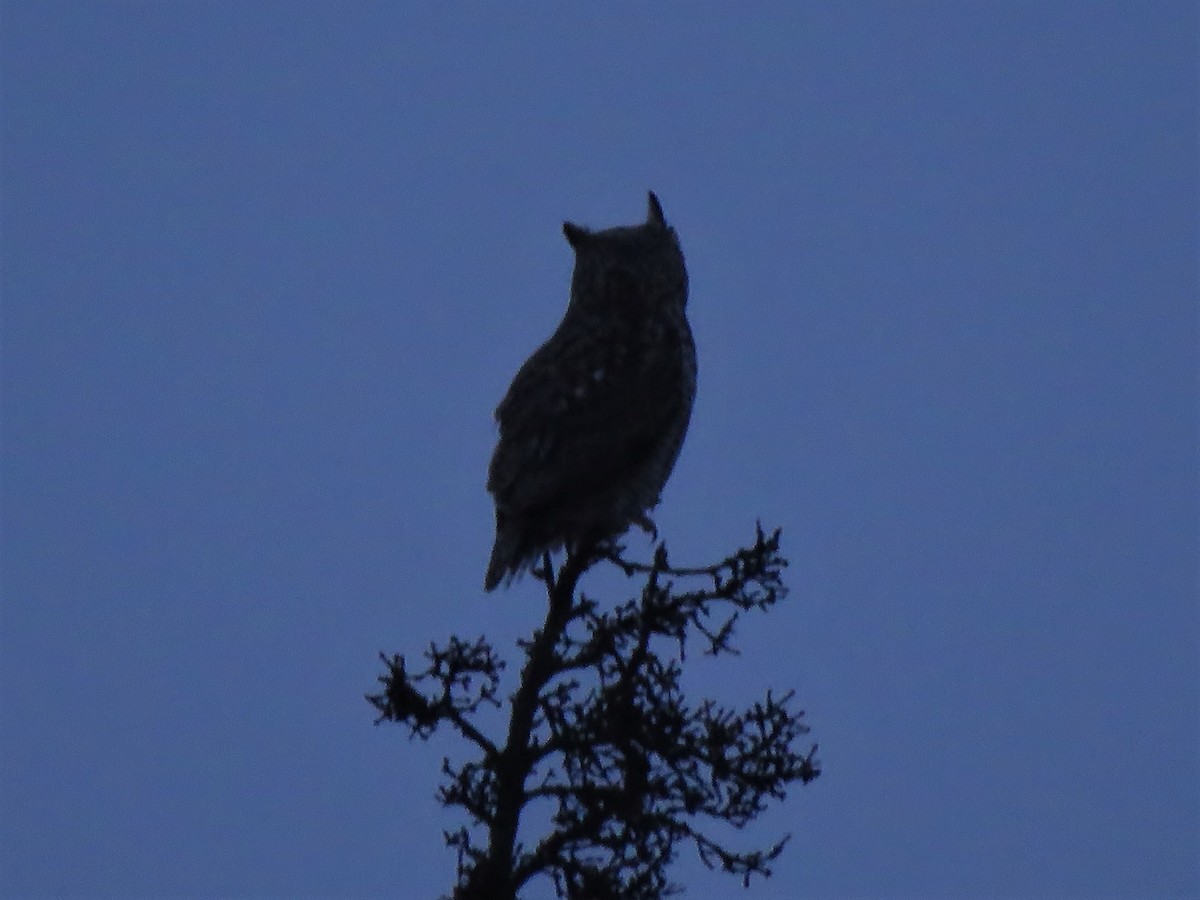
(593, 422)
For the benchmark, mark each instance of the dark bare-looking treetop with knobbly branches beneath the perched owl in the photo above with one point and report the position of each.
(602, 734)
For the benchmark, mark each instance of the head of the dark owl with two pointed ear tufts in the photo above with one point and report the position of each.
(629, 265)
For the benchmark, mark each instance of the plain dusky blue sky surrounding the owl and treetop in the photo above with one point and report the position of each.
(269, 267)
